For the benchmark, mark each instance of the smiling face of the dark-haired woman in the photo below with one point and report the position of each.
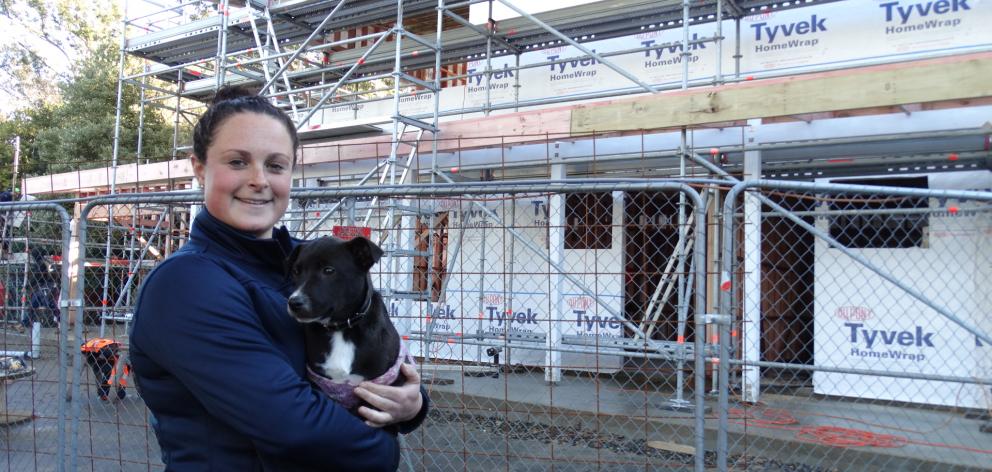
(247, 173)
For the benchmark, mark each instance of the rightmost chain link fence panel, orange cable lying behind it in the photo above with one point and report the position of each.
(860, 325)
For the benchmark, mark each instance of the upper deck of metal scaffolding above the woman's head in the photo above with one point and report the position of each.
(311, 56)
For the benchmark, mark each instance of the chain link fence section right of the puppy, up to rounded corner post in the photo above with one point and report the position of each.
(518, 302)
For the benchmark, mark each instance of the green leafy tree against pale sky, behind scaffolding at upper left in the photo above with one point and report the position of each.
(67, 115)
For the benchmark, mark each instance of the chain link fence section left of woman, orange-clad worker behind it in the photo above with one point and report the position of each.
(121, 242)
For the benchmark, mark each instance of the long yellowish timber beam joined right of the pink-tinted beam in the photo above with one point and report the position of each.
(935, 80)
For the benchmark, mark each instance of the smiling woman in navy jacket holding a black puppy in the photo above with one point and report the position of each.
(216, 358)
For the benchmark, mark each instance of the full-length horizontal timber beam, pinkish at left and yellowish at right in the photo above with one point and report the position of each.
(934, 83)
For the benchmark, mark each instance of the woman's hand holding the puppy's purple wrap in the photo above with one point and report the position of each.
(391, 404)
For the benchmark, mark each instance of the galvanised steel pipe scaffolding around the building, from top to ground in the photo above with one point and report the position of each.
(317, 58)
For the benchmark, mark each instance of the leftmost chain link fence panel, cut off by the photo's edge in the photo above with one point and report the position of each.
(34, 351)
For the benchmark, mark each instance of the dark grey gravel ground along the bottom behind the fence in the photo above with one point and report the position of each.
(466, 437)
